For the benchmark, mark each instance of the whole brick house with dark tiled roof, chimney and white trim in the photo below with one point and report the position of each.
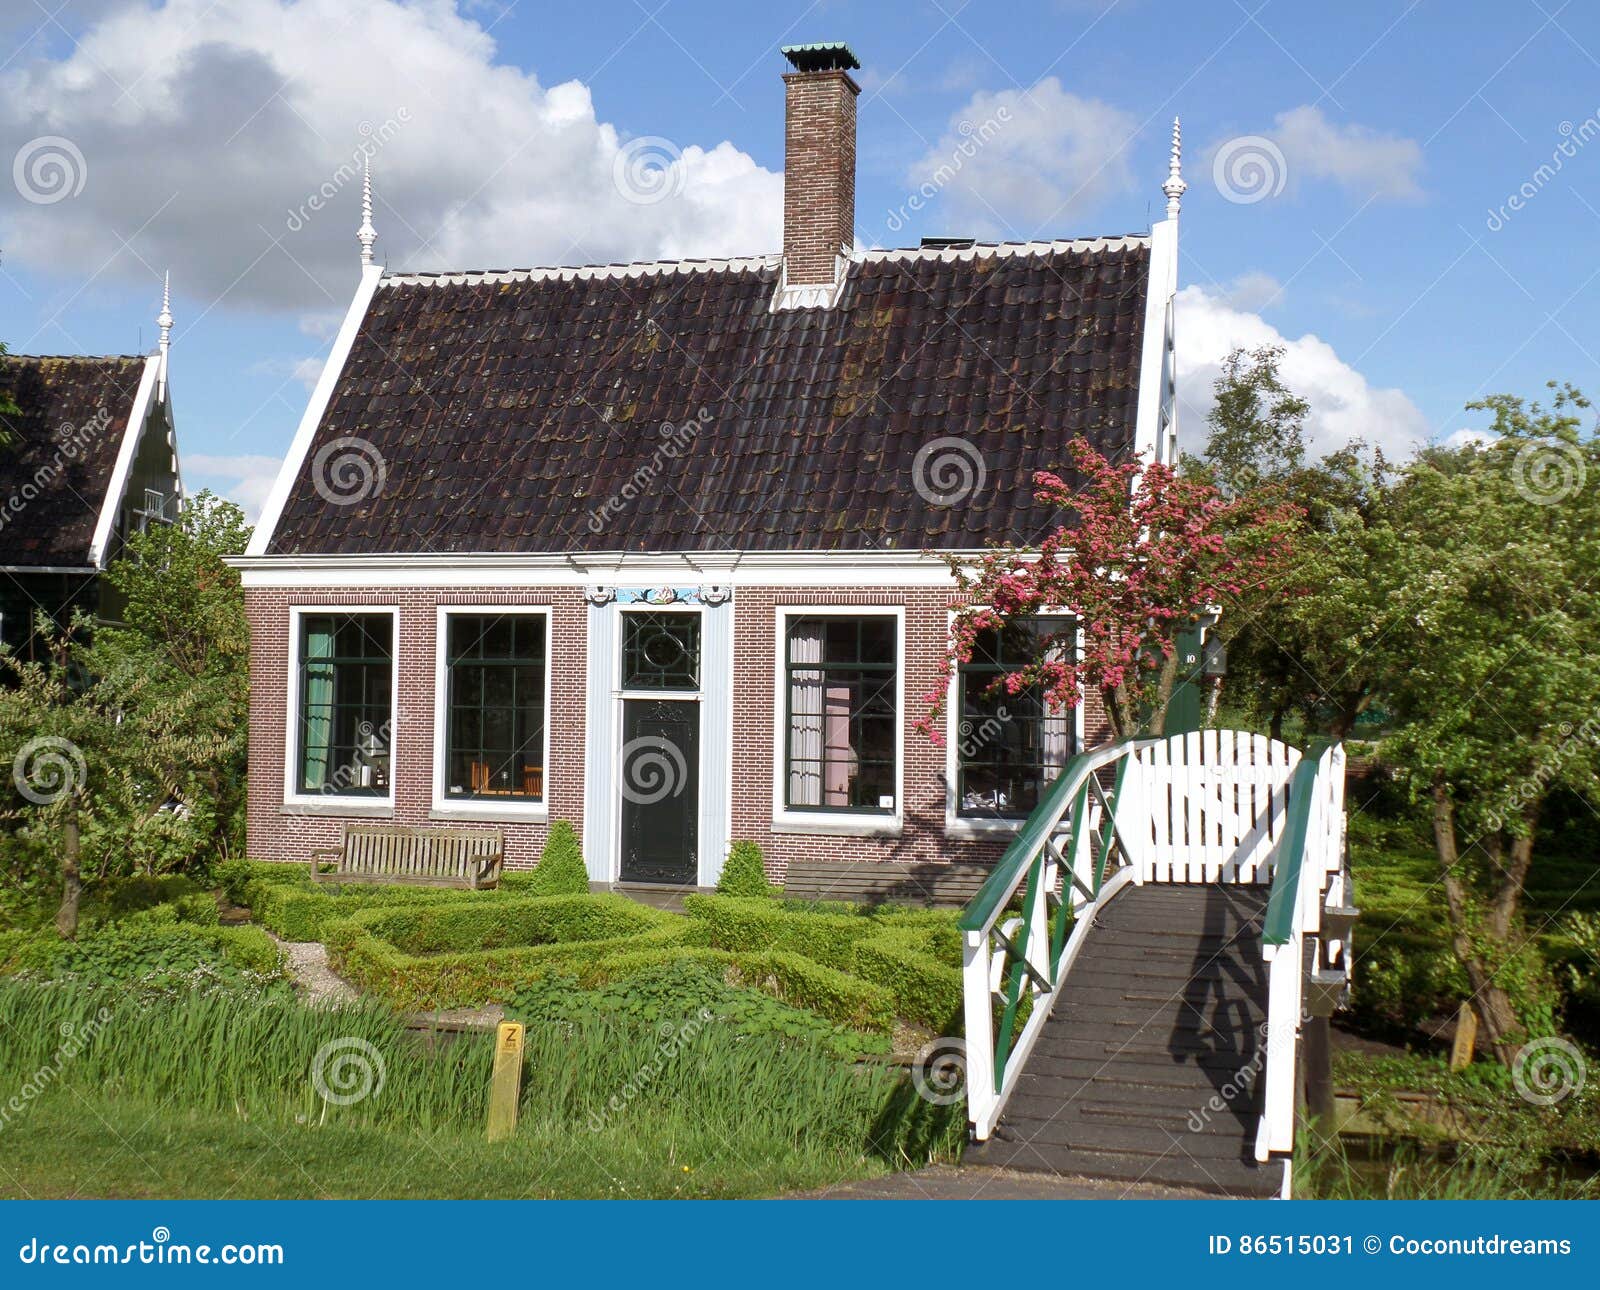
(658, 550)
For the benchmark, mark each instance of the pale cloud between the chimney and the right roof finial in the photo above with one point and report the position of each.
(1026, 162)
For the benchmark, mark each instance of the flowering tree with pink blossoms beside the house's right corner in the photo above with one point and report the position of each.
(1146, 556)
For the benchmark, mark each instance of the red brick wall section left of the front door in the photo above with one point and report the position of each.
(289, 833)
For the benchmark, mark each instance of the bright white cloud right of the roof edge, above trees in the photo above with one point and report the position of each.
(1343, 404)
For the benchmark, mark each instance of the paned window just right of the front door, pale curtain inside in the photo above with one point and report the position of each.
(842, 713)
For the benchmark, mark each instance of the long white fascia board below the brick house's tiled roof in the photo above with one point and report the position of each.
(786, 569)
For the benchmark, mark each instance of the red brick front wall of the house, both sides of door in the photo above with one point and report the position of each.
(287, 833)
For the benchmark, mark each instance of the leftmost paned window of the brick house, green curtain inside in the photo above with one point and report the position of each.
(346, 703)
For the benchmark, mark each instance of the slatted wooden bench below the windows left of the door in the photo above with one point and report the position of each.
(422, 857)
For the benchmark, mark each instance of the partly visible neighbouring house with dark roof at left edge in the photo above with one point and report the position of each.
(92, 459)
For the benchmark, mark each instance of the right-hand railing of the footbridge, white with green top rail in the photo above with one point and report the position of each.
(1308, 873)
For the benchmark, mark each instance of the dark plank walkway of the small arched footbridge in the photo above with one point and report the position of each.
(1148, 1067)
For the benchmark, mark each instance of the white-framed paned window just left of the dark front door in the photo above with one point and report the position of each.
(497, 683)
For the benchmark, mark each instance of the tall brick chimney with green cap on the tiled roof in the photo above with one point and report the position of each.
(820, 161)
